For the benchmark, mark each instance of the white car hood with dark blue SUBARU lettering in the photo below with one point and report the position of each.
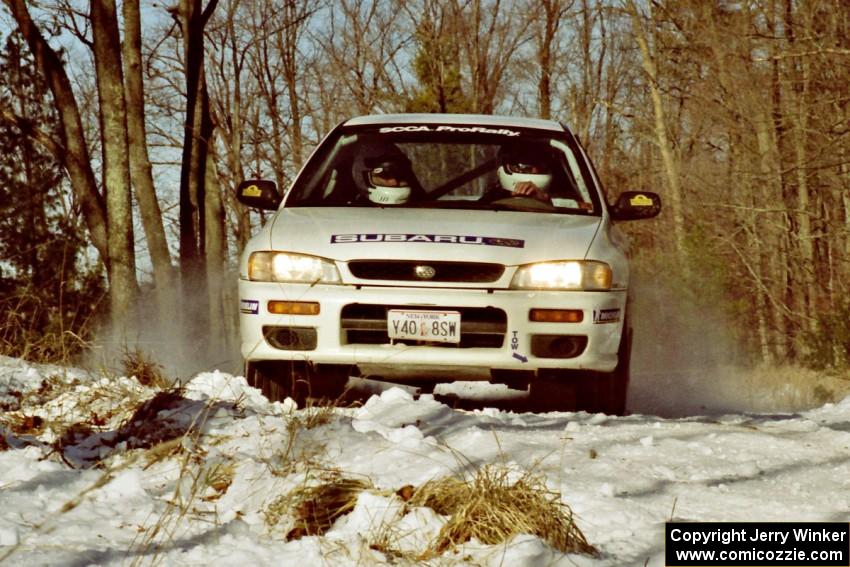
(505, 237)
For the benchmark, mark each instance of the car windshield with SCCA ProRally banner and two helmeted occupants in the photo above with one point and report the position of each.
(447, 167)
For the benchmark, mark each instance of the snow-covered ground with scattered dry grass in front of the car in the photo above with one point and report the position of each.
(223, 457)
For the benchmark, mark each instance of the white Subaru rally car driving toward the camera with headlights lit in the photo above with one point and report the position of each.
(441, 247)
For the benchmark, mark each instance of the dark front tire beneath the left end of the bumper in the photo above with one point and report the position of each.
(281, 379)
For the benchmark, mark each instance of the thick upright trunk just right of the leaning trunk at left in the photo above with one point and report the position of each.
(116, 160)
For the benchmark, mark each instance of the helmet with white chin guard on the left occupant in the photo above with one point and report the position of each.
(383, 173)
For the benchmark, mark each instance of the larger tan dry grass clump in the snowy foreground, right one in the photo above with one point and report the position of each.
(492, 509)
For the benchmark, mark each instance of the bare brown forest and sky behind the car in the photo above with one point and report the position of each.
(125, 128)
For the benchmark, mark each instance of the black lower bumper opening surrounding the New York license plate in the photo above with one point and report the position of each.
(480, 327)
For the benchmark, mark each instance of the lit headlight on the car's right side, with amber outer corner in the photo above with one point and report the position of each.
(576, 274)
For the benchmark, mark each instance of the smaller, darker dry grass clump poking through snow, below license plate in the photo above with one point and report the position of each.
(317, 507)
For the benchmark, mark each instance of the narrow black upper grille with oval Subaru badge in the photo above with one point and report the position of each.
(405, 270)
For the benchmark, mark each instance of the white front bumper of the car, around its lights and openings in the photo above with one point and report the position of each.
(328, 345)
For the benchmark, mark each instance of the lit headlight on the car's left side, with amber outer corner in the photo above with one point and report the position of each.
(289, 267)
